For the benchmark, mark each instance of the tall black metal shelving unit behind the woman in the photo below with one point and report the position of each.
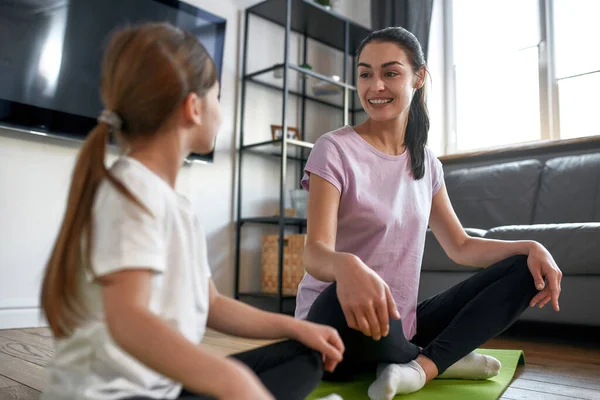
(314, 23)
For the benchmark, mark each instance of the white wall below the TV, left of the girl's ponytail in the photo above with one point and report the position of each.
(34, 178)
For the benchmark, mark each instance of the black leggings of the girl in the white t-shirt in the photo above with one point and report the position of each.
(288, 369)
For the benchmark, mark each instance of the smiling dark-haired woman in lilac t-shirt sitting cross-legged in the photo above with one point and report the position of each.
(374, 189)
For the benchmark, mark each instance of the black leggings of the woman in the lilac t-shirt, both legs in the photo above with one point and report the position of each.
(450, 325)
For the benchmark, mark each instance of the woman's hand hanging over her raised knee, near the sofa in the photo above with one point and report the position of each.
(542, 266)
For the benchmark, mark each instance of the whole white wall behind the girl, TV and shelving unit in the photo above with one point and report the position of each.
(35, 173)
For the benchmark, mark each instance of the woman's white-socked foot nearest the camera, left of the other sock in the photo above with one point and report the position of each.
(393, 379)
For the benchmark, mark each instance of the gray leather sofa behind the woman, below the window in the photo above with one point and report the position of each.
(555, 202)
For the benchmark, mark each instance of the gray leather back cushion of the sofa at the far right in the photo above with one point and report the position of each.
(569, 190)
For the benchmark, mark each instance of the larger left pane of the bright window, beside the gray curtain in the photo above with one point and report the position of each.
(496, 72)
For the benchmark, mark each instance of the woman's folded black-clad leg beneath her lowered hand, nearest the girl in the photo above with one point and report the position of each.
(362, 353)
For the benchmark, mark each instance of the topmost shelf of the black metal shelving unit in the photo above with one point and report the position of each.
(314, 20)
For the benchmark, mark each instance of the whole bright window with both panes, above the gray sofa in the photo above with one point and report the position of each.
(497, 59)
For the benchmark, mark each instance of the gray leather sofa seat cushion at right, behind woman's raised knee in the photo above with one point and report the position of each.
(574, 247)
